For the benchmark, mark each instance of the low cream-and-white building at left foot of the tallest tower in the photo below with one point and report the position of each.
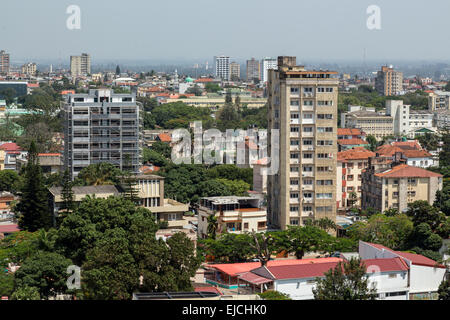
(234, 214)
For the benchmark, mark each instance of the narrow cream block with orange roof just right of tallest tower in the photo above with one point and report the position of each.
(350, 165)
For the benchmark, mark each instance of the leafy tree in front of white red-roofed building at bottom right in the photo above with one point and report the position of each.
(347, 281)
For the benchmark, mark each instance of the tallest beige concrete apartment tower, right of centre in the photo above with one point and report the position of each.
(303, 107)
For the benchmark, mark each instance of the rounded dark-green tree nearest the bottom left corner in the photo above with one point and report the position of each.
(46, 271)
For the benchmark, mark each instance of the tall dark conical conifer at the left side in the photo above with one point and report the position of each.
(33, 208)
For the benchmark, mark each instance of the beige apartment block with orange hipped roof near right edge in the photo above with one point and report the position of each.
(387, 184)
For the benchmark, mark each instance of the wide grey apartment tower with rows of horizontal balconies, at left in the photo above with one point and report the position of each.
(102, 126)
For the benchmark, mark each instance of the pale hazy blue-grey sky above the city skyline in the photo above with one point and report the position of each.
(199, 29)
